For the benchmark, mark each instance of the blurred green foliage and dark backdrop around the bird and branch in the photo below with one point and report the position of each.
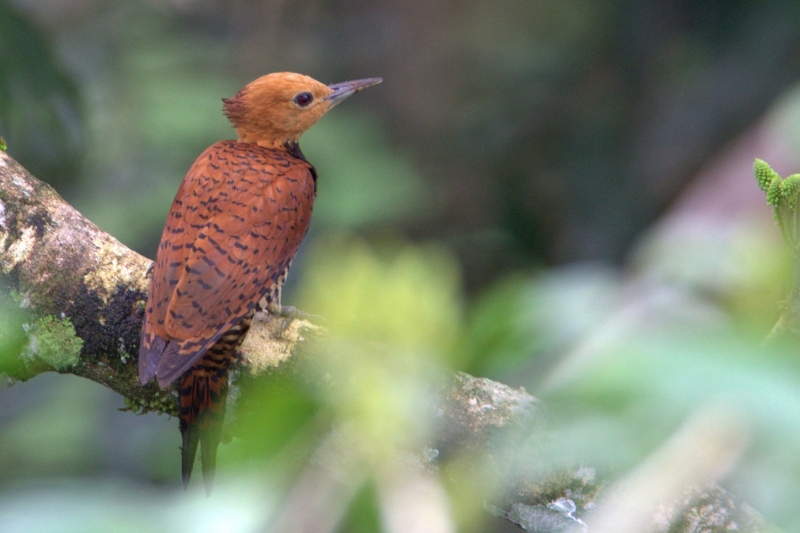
(558, 195)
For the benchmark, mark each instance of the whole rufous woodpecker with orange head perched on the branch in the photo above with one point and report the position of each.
(233, 229)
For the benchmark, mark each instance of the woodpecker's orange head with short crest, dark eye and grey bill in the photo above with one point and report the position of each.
(278, 108)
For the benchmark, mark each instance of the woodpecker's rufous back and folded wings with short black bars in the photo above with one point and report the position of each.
(234, 226)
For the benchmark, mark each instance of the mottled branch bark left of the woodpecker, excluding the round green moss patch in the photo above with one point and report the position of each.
(56, 263)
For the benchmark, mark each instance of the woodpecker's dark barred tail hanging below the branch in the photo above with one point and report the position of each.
(203, 392)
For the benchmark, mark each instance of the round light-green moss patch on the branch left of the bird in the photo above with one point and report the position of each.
(54, 341)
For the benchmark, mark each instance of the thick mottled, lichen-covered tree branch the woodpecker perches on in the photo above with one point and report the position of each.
(65, 273)
